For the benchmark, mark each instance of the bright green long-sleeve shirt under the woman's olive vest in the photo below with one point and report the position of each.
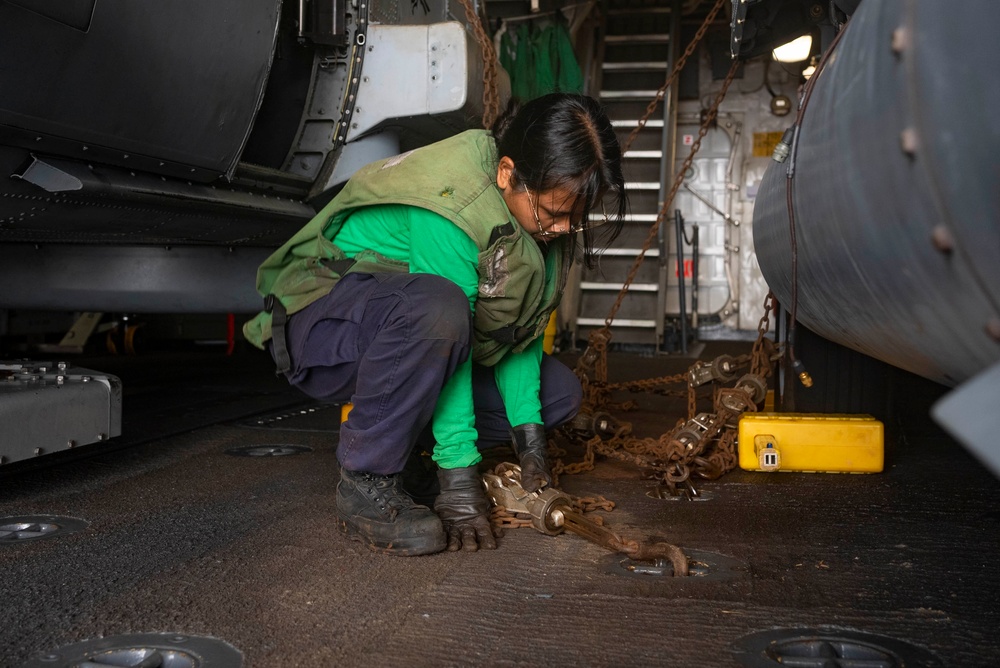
(431, 244)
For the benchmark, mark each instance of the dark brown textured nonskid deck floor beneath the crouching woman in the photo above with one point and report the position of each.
(184, 536)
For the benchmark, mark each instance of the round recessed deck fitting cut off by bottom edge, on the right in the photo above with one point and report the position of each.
(828, 648)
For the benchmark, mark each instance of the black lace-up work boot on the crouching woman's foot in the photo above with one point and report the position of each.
(374, 509)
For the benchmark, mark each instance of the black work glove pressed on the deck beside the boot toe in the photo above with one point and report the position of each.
(464, 510)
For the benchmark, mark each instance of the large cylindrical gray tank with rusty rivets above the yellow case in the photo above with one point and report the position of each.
(896, 191)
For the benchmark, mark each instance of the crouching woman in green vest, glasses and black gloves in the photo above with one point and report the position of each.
(421, 294)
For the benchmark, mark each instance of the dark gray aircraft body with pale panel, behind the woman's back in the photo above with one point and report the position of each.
(152, 153)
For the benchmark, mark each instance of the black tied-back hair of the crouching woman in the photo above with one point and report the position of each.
(565, 140)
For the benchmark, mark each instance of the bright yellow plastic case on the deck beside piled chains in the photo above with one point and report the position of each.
(811, 443)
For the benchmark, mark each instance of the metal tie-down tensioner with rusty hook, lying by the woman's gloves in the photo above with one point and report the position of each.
(552, 513)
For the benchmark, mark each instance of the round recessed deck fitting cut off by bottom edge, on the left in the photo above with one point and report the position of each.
(163, 650)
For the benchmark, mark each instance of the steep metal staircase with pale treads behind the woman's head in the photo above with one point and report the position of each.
(639, 48)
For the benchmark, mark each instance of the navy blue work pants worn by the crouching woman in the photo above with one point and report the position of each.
(389, 343)
